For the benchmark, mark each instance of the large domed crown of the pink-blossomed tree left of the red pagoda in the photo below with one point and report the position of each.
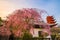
(23, 19)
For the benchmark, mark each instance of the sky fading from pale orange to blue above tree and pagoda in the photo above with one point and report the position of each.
(51, 6)
